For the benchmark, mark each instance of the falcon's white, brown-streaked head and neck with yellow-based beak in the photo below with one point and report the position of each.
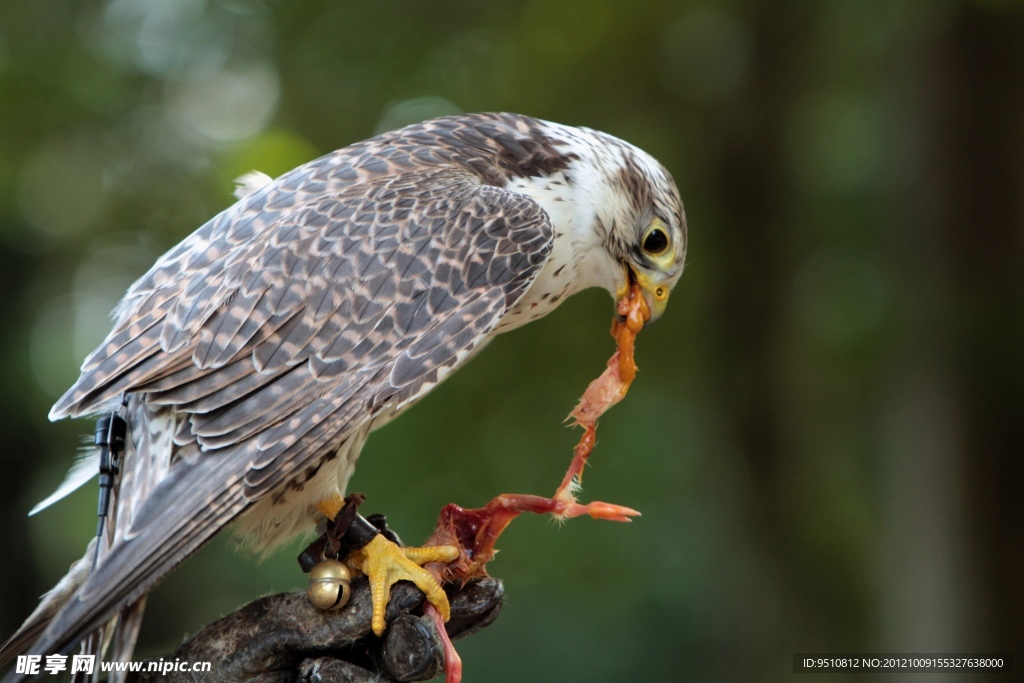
(616, 211)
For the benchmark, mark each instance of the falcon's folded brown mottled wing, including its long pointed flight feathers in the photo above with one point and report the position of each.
(284, 325)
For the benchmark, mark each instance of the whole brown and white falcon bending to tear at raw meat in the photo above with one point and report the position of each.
(254, 359)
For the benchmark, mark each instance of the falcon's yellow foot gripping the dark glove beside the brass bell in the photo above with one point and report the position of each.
(386, 564)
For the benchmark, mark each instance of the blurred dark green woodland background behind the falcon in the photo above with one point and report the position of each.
(826, 438)
